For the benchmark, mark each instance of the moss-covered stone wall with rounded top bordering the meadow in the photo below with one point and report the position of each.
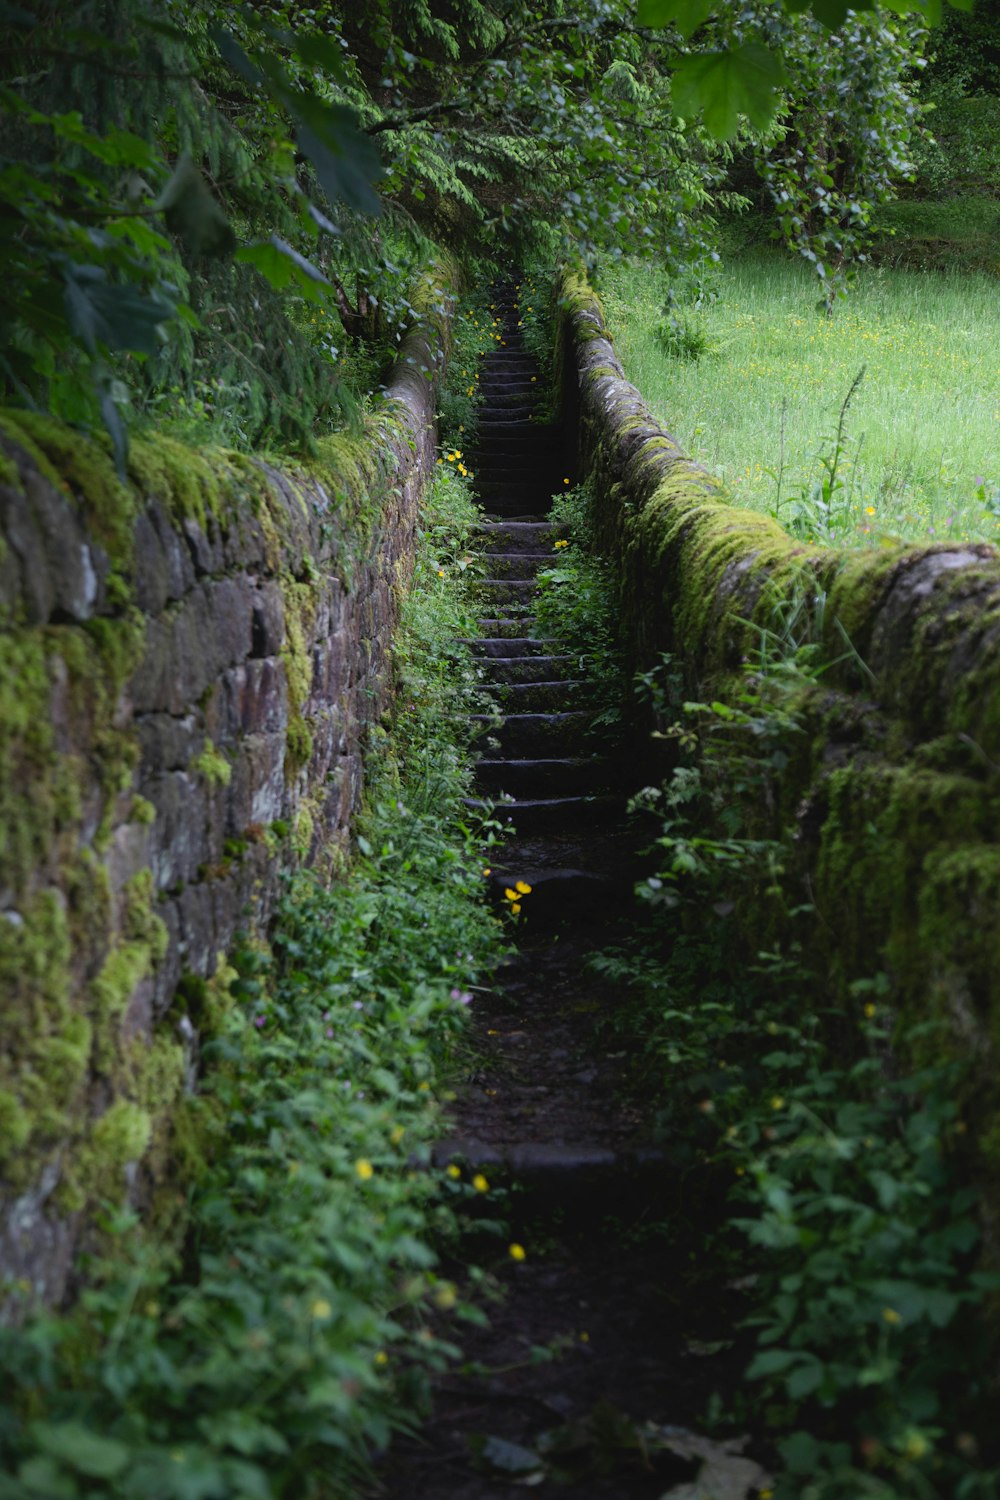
(891, 796)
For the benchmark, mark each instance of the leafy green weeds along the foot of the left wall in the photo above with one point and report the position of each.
(296, 1331)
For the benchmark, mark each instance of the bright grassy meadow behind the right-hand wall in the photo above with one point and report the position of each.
(761, 403)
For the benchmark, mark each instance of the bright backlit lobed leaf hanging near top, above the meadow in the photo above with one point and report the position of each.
(722, 86)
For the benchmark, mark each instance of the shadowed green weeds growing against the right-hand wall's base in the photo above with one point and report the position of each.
(845, 1216)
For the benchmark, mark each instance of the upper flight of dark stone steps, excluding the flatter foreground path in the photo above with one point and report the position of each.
(542, 758)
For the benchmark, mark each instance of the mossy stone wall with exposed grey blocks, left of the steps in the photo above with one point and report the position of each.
(188, 667)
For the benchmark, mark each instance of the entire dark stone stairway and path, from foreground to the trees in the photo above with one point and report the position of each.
(548, 1109)
